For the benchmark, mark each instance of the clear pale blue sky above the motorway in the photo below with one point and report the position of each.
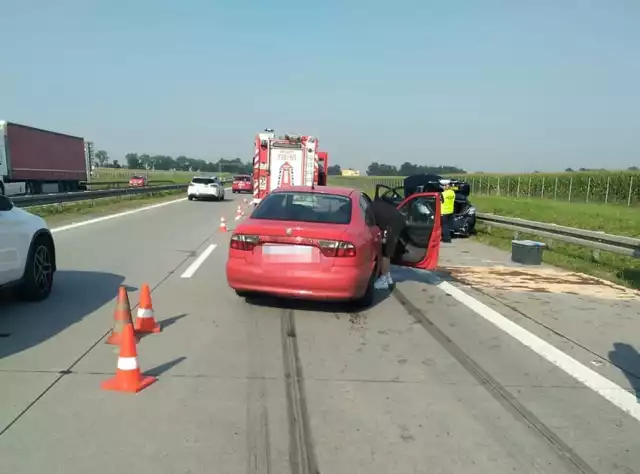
(512, 85)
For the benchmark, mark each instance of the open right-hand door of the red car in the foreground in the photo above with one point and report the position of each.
(419, 245)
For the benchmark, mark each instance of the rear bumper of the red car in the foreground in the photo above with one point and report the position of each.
(341, 283)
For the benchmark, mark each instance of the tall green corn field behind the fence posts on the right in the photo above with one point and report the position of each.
(606, 188)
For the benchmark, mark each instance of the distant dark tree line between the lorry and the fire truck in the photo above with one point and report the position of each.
(145, 161)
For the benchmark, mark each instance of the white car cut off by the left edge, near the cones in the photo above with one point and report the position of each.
(27, 252)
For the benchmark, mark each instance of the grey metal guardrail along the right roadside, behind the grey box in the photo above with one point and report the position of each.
(621, 245)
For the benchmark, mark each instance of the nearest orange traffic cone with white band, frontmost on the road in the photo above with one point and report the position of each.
(128, 377)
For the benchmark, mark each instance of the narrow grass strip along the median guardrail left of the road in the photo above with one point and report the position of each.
(65, 213)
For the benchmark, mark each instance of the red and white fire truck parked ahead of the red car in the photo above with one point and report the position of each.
(285, 160)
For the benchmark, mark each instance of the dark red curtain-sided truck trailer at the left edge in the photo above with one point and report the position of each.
(39, 161)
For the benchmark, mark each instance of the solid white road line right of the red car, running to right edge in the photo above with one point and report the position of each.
(596, 382)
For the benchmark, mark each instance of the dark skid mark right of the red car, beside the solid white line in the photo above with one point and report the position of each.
(499, 393)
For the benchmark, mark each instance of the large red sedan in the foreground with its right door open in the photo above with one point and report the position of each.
(323, 244)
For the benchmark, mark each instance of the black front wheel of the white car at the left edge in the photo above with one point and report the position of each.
(37, 281)
